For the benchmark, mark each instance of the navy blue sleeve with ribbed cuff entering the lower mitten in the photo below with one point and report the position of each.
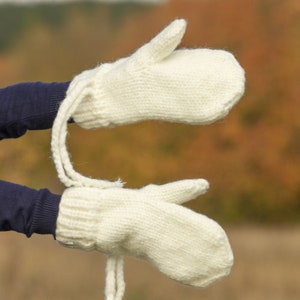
(26, 210)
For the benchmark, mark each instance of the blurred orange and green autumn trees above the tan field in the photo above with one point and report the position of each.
(252, 158)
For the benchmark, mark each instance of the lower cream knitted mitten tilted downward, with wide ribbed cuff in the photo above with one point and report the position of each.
(149, 224)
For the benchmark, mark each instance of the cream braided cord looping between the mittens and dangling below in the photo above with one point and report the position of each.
(115, 285)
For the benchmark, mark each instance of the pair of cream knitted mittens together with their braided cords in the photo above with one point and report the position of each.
(196, 86)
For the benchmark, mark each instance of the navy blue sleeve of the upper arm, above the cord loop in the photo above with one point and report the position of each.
(29, 106)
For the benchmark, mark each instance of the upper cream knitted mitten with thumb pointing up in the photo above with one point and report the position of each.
(157, 82)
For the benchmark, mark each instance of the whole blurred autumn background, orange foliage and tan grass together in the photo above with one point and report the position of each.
(251, 158)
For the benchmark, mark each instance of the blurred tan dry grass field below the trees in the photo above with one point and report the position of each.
(267, 266)
